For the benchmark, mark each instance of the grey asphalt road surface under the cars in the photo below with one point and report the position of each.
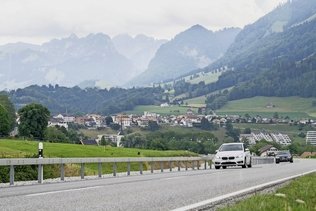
(161, 191)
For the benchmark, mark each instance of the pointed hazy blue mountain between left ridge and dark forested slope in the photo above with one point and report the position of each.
(194, 48)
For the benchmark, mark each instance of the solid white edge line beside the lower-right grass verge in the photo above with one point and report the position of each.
(245, 191)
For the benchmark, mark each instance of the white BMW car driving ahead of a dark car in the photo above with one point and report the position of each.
(232, 154)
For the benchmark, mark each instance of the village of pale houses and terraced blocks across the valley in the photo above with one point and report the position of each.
(187, 120)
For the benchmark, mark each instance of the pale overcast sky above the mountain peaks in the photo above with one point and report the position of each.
(36, 21)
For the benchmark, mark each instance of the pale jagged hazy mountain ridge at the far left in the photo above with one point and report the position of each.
(70, 61)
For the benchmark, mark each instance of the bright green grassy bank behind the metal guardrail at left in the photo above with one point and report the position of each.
(19, 148)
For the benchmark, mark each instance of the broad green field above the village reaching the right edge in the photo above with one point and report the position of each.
(293, 107)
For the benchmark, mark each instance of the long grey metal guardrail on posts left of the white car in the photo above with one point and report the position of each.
(12, 162)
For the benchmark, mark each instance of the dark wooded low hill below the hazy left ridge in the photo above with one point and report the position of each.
(75, 100)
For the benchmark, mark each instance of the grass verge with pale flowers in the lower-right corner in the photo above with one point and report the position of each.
(300, 194)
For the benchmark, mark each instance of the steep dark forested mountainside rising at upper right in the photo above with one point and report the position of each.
(275, 56)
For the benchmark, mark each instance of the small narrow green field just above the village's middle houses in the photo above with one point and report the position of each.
(171, 110)
